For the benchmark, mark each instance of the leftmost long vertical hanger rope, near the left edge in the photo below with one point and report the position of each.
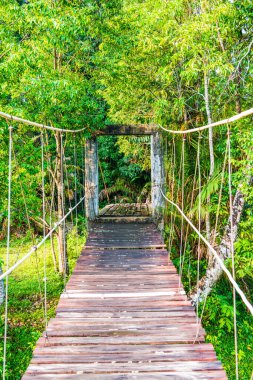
(7, 253)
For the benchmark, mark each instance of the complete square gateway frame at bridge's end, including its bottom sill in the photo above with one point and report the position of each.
(157, 175)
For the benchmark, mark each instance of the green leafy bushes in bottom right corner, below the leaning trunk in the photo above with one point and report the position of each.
(218, 322)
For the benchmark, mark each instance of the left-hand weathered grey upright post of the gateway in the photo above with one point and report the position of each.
(91, 178)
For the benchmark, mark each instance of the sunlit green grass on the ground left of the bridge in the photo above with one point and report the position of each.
(26, 312)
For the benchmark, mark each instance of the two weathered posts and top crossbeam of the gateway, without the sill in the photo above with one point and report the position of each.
(157, 167)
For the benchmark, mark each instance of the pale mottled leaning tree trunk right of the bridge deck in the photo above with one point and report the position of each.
(214, 271)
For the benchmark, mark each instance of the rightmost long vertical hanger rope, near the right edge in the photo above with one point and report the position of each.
(232, 249)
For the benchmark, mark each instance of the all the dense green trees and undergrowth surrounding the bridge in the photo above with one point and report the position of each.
(86, 63)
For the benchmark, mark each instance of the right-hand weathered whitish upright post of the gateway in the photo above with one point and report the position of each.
(157, 174)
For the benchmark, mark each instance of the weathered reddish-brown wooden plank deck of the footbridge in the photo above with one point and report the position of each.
(124, 315)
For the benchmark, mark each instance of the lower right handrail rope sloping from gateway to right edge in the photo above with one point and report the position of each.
(220, 261)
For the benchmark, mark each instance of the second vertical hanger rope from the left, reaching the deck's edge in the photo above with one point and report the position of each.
(44, 232)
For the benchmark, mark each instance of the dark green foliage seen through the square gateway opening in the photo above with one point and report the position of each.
(124, 169)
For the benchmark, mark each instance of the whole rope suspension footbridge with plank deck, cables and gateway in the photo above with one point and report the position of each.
(123, 313)
